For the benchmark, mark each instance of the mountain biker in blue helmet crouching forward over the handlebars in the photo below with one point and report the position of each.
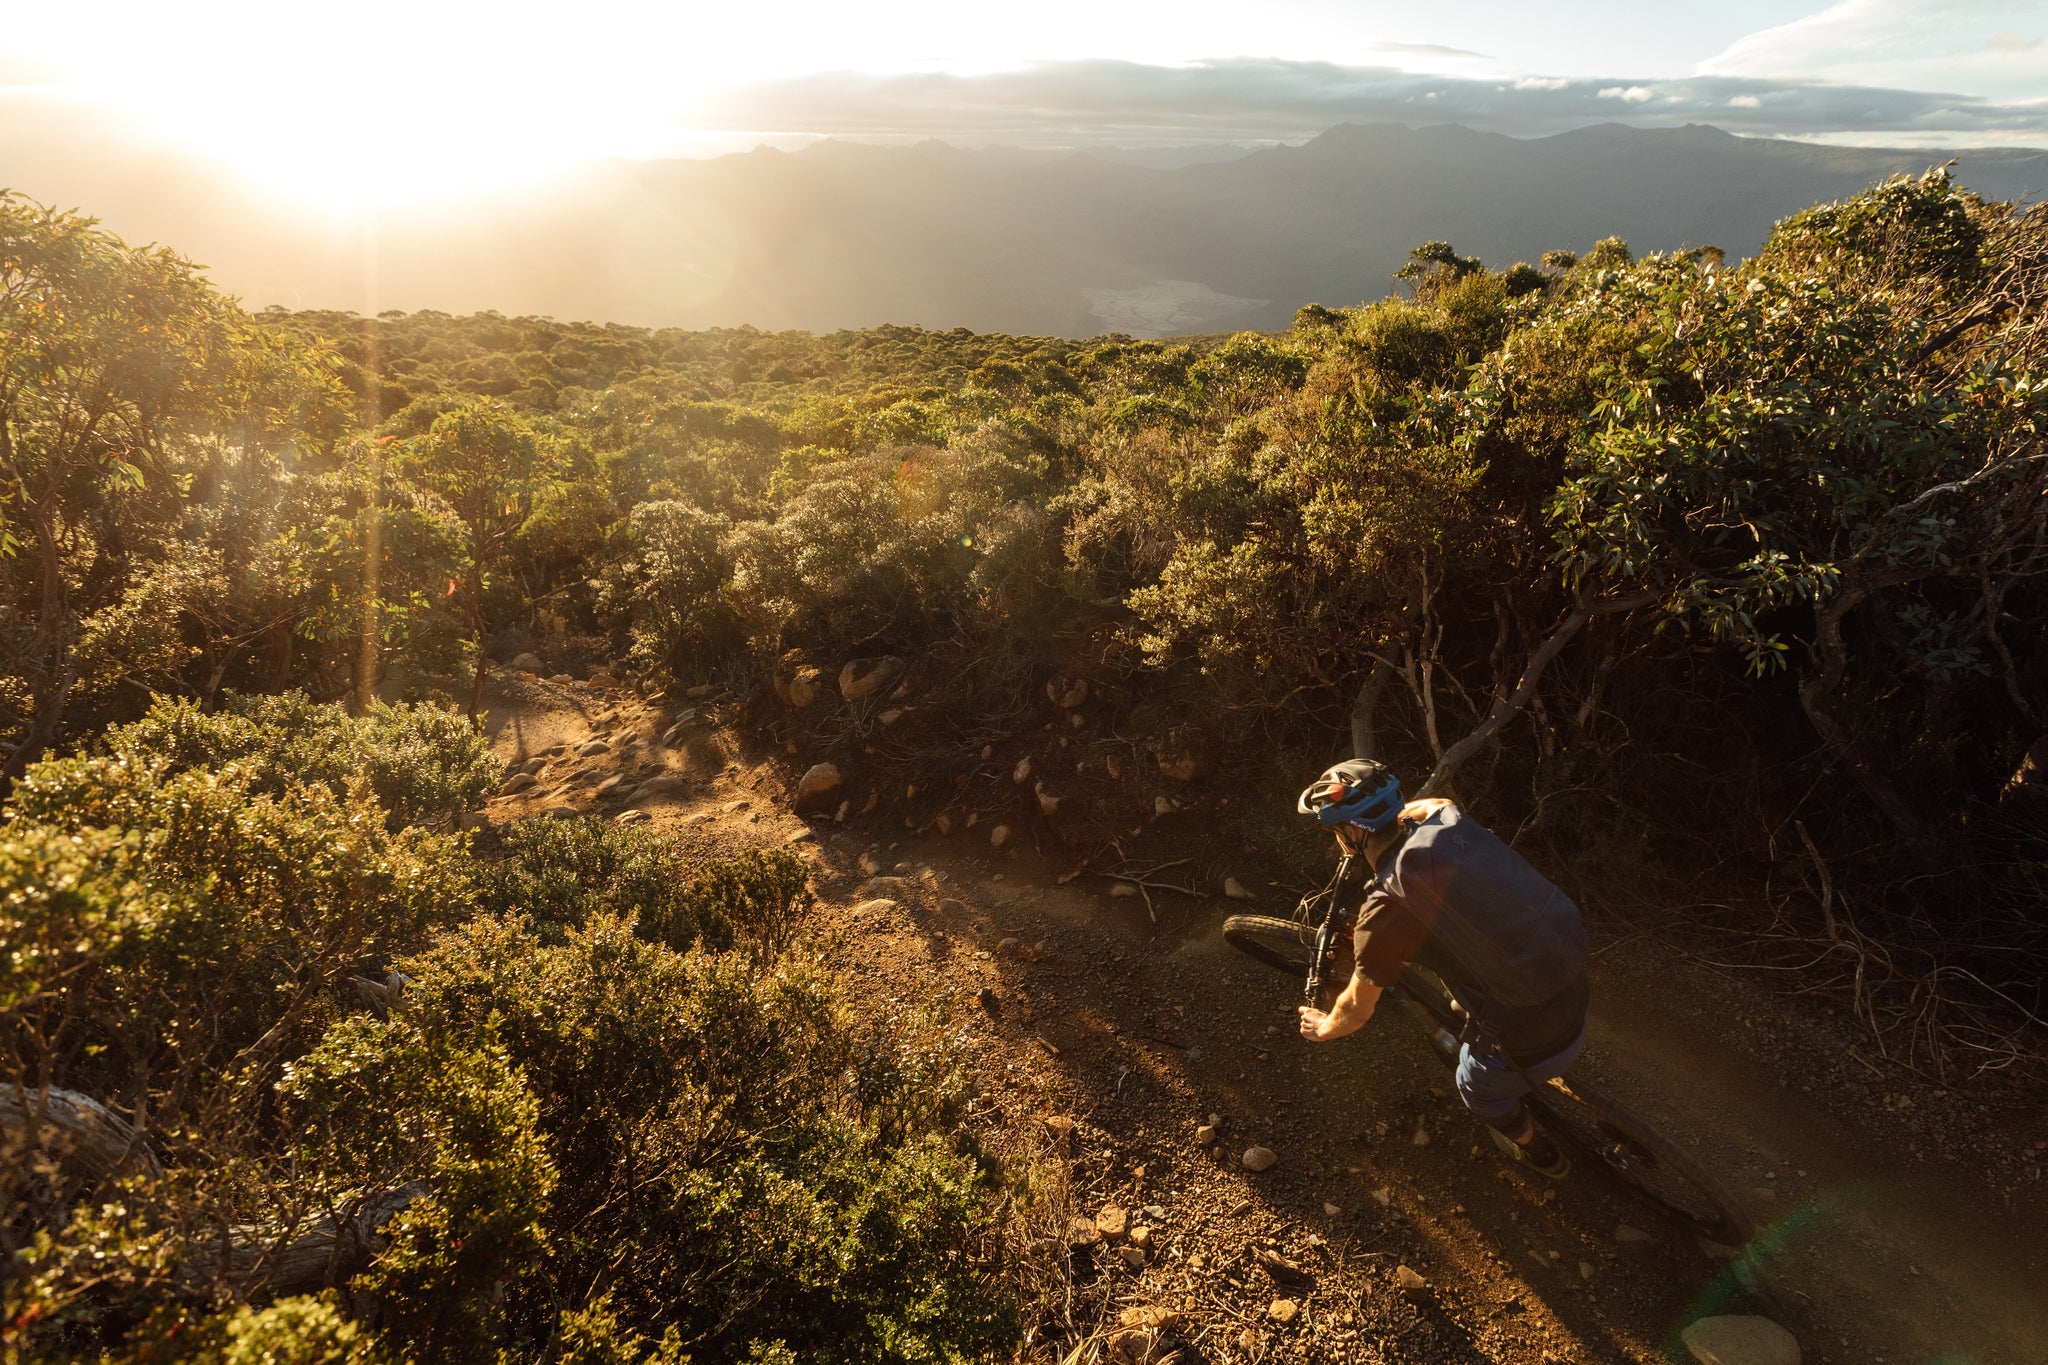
(1459, 901)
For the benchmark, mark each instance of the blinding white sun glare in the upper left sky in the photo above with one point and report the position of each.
(378, 103)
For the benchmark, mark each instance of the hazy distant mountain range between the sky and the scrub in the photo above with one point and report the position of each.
(996, 240)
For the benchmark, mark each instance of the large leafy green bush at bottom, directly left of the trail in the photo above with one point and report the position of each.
(742, 1161)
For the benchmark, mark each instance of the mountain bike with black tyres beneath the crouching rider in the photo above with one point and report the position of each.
(1572, 1108)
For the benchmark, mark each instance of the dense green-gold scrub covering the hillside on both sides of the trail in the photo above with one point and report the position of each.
(1719, 584)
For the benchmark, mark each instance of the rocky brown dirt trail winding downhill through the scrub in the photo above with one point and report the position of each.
(1902, 1225)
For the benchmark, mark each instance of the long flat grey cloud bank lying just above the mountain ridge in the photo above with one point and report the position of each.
(1123, 103)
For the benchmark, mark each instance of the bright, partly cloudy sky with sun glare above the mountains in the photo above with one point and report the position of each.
(398, 99)
